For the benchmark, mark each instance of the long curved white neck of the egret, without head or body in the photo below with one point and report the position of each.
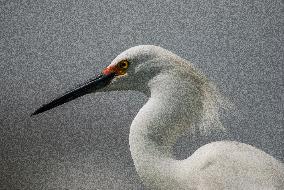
(176, 103)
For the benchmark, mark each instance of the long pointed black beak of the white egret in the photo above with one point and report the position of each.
(86, 88)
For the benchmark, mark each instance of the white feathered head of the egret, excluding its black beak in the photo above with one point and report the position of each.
(135, 67)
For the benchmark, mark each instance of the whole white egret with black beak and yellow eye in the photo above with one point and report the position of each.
(180, 98)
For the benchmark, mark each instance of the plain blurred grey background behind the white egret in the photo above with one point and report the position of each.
(47, 47)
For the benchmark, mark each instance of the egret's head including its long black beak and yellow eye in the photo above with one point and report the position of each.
(131, 70)
